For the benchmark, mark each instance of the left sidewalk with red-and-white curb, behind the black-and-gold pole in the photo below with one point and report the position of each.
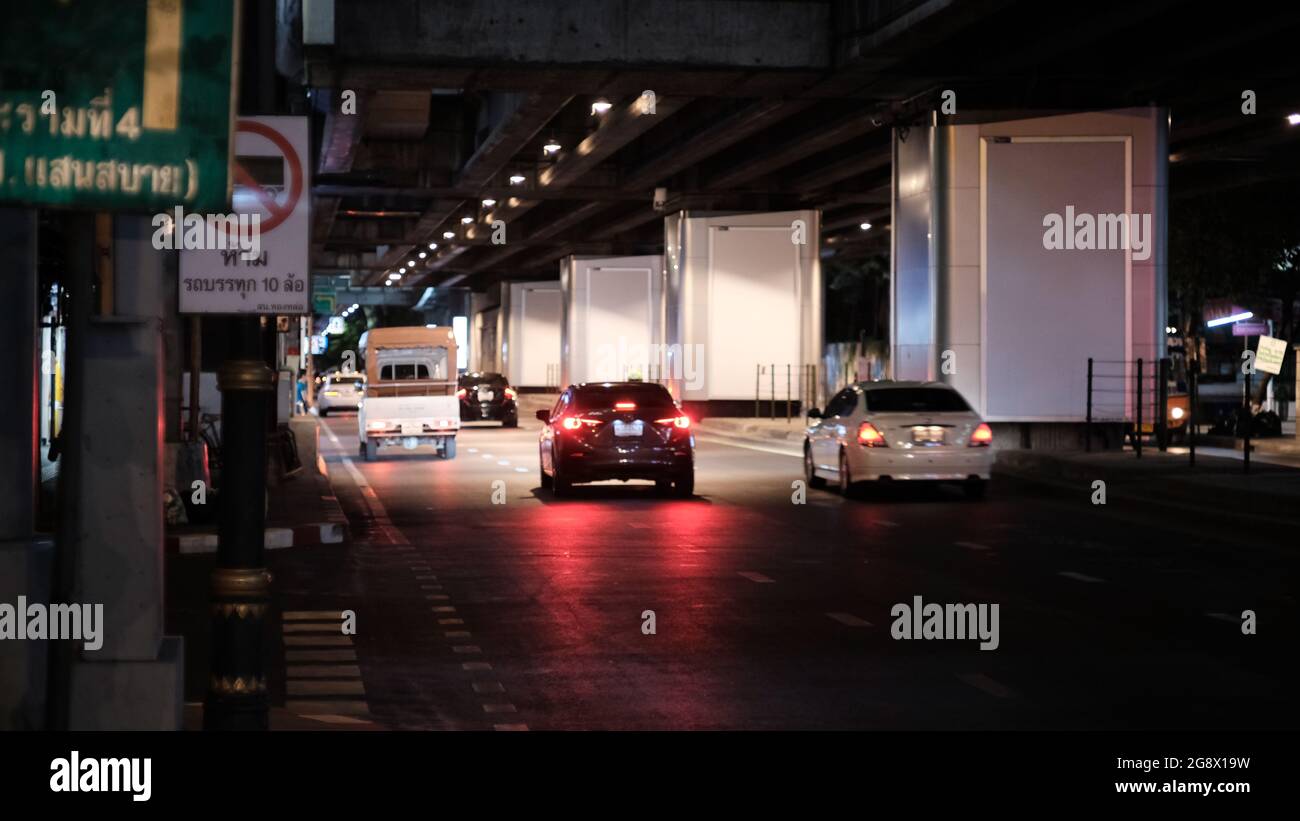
(302, 510)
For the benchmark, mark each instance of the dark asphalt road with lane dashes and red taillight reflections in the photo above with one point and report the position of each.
(483, 602)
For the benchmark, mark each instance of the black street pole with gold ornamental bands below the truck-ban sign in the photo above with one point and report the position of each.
(241, 587)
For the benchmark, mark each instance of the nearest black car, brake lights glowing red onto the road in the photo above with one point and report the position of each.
(617, 431)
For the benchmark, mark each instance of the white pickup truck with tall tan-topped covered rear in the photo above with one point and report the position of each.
(410, 392)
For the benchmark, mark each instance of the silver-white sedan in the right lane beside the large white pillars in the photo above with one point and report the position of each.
(881, 432)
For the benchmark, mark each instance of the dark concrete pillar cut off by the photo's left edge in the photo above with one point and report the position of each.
(25, 559)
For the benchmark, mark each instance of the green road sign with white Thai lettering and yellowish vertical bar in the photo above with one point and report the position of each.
(118, 106)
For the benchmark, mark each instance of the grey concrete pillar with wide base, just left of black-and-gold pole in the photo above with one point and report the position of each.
(136, 679)
